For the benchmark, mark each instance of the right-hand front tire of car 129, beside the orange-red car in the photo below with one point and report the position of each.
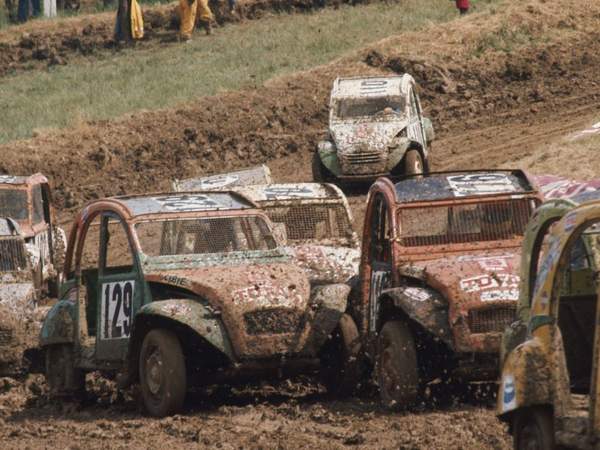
(341, 372)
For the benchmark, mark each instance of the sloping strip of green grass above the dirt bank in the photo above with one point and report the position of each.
(235, 56)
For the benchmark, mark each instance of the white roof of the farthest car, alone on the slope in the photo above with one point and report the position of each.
(370, 86)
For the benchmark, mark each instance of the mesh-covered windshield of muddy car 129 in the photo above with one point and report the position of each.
(204, 235)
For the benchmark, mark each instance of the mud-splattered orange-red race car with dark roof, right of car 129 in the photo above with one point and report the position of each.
(439, 276)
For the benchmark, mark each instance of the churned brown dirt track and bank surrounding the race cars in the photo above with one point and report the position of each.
(491, 108)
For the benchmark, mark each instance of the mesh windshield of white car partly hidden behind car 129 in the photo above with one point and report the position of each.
(312, 223)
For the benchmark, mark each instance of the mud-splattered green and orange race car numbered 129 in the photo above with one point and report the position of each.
(180, 289)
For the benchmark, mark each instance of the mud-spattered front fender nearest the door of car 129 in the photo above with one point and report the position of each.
(200, 317)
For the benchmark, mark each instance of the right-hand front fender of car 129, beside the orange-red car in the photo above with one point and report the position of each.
(330, 303)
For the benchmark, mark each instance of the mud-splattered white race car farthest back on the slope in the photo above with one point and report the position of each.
(376, 127)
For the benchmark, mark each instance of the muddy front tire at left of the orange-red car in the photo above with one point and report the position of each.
(397, 368)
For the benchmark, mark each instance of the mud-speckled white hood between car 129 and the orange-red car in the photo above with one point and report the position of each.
(326, 264)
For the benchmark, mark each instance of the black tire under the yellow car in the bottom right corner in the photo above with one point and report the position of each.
(533, 429)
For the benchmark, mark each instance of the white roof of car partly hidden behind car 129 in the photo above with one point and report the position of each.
(276, 192)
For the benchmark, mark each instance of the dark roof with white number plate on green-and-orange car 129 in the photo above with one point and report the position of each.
(183, 202)
